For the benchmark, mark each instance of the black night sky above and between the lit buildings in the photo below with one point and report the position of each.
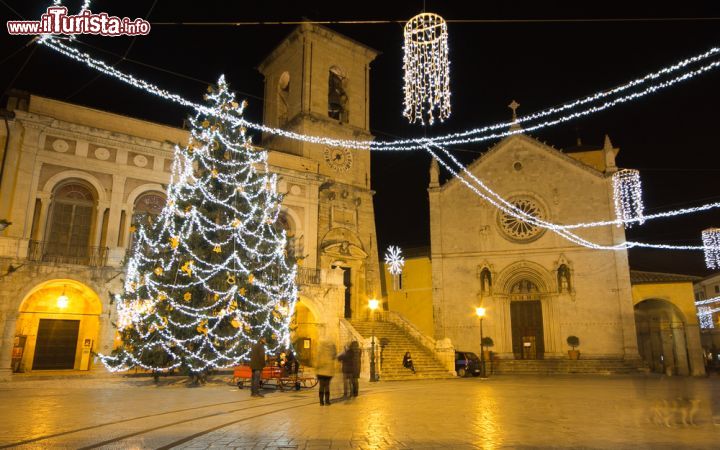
(671, 136)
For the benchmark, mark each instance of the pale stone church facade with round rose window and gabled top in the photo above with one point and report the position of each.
(537, 288)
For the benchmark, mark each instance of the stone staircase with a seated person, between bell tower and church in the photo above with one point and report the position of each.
(426, 366)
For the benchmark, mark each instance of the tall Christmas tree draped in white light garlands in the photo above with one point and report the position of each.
(211, 274)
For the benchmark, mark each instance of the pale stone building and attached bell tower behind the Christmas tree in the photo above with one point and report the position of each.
(74, 178)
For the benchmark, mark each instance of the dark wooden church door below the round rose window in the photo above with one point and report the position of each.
(527, 329)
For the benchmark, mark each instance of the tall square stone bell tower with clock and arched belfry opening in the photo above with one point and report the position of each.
(317, 83)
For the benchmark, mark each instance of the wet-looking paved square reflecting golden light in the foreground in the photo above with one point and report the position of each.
(501, 412)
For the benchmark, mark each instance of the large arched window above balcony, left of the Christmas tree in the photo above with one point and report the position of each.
(73, 209)
